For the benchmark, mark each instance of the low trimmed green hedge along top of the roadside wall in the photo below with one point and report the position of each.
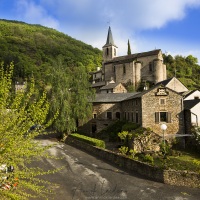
(89, 140)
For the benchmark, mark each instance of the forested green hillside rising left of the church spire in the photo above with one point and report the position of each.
(33, 48)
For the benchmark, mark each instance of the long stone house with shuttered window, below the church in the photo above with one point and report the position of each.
(149, 109)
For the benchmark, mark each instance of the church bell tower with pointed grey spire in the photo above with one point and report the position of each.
(109, 49)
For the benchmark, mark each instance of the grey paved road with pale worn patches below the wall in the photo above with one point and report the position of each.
(85, 177)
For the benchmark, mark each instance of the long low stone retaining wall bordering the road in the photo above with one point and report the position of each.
(172, 177)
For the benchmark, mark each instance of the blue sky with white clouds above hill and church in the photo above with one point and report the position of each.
(170, 25)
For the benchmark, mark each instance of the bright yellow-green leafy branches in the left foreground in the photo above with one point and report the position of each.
(19, 111)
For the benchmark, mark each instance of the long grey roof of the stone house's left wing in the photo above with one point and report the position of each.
(112, 97)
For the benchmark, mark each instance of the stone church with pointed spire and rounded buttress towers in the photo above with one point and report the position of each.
(133, 69)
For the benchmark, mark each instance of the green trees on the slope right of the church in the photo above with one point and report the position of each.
(186, 69)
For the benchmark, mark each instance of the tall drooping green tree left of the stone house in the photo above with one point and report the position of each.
(69, 92)
